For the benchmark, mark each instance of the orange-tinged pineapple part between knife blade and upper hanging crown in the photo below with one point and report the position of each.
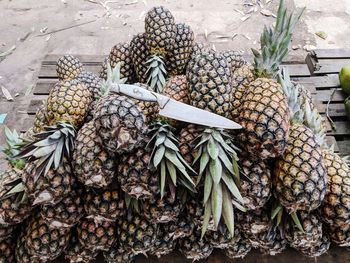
(177, 89)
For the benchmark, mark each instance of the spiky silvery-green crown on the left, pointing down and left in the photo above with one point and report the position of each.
(50, 147)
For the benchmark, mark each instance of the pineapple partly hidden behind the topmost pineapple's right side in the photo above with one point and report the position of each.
(180, 54)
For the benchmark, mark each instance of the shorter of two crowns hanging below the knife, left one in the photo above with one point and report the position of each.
(167, 158)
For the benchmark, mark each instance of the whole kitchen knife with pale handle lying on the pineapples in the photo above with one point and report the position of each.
(174, 109)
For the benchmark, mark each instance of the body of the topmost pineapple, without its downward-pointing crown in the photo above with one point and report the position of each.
(160, 30)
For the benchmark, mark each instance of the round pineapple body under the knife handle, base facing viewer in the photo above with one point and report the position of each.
(120, 123)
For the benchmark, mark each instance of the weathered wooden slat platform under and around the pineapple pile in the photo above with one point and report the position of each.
(321, 86)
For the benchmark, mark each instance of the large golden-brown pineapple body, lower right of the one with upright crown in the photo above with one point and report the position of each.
(300, 180)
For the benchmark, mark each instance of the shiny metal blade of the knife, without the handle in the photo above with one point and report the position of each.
(183, 112)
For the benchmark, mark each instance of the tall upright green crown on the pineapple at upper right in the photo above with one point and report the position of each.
(274, 43)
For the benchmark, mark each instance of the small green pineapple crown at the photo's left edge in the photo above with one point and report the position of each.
(14, 143)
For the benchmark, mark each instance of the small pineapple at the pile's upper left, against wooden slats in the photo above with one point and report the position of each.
(68, 67)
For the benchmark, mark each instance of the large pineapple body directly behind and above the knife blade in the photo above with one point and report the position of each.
(210, 84)
